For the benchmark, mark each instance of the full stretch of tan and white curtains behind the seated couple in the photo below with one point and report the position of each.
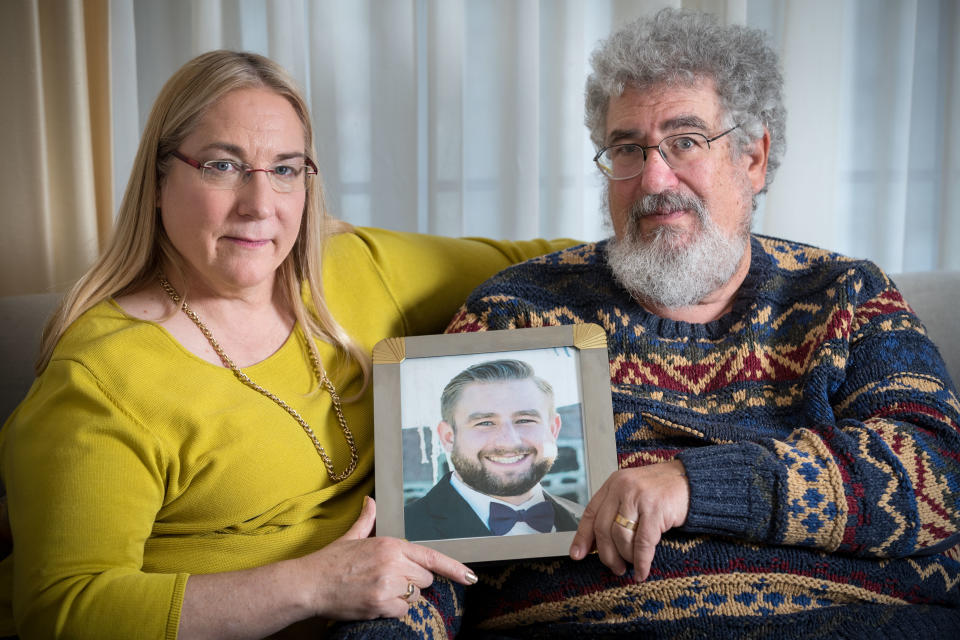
(465, 117)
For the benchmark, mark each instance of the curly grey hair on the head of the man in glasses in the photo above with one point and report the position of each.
(679, 47)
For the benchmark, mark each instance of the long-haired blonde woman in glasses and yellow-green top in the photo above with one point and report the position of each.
(184, 465)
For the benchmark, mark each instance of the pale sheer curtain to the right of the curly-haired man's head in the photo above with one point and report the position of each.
(873, 161)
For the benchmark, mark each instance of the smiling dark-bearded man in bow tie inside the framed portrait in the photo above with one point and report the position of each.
(499, 430)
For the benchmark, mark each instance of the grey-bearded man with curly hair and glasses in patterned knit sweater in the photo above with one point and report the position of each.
(787, 433)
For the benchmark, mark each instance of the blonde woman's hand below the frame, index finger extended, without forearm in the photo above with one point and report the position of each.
(359, 578)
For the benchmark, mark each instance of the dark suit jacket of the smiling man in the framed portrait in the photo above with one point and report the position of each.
(443, 513)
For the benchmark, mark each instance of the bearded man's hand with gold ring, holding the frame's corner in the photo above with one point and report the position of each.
(649, 501)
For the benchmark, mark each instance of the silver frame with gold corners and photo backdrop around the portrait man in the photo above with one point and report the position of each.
(403, 382)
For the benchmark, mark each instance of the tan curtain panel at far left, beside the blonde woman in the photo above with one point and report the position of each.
(55, 167)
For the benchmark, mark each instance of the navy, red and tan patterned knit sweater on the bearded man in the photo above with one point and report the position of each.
(819, 430)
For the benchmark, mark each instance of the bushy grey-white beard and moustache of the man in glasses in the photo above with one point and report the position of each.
(663, 267)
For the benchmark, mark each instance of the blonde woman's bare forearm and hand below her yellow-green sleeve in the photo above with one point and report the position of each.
(353, 578)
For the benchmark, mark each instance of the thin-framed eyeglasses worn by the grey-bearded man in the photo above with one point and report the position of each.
(679, 151)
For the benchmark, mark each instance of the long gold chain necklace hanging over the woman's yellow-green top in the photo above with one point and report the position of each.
(318, 370)
